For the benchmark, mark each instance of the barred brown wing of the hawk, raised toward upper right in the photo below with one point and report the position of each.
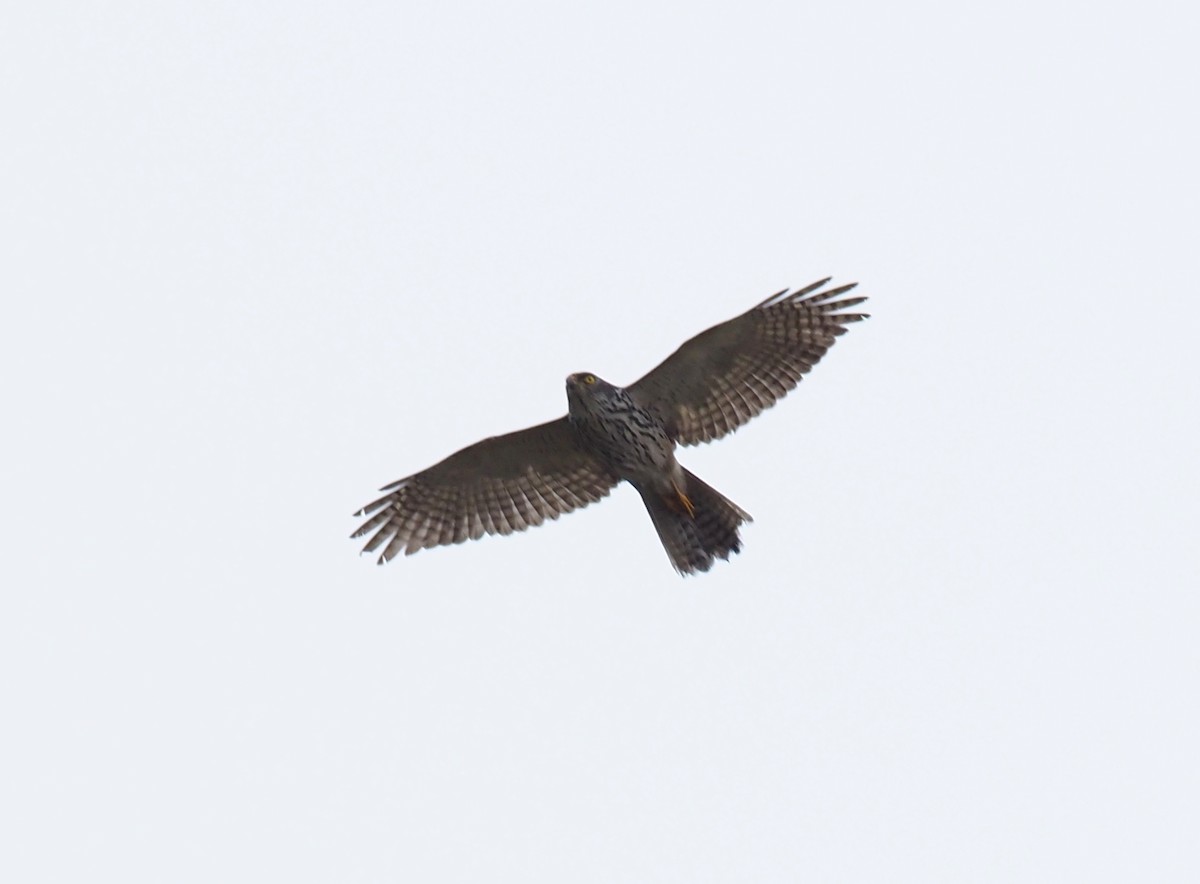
(722, 378)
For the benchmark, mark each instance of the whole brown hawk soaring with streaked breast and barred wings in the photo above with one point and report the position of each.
(715, 383)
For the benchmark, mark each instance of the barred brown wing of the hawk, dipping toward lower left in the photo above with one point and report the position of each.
(502, 485)
